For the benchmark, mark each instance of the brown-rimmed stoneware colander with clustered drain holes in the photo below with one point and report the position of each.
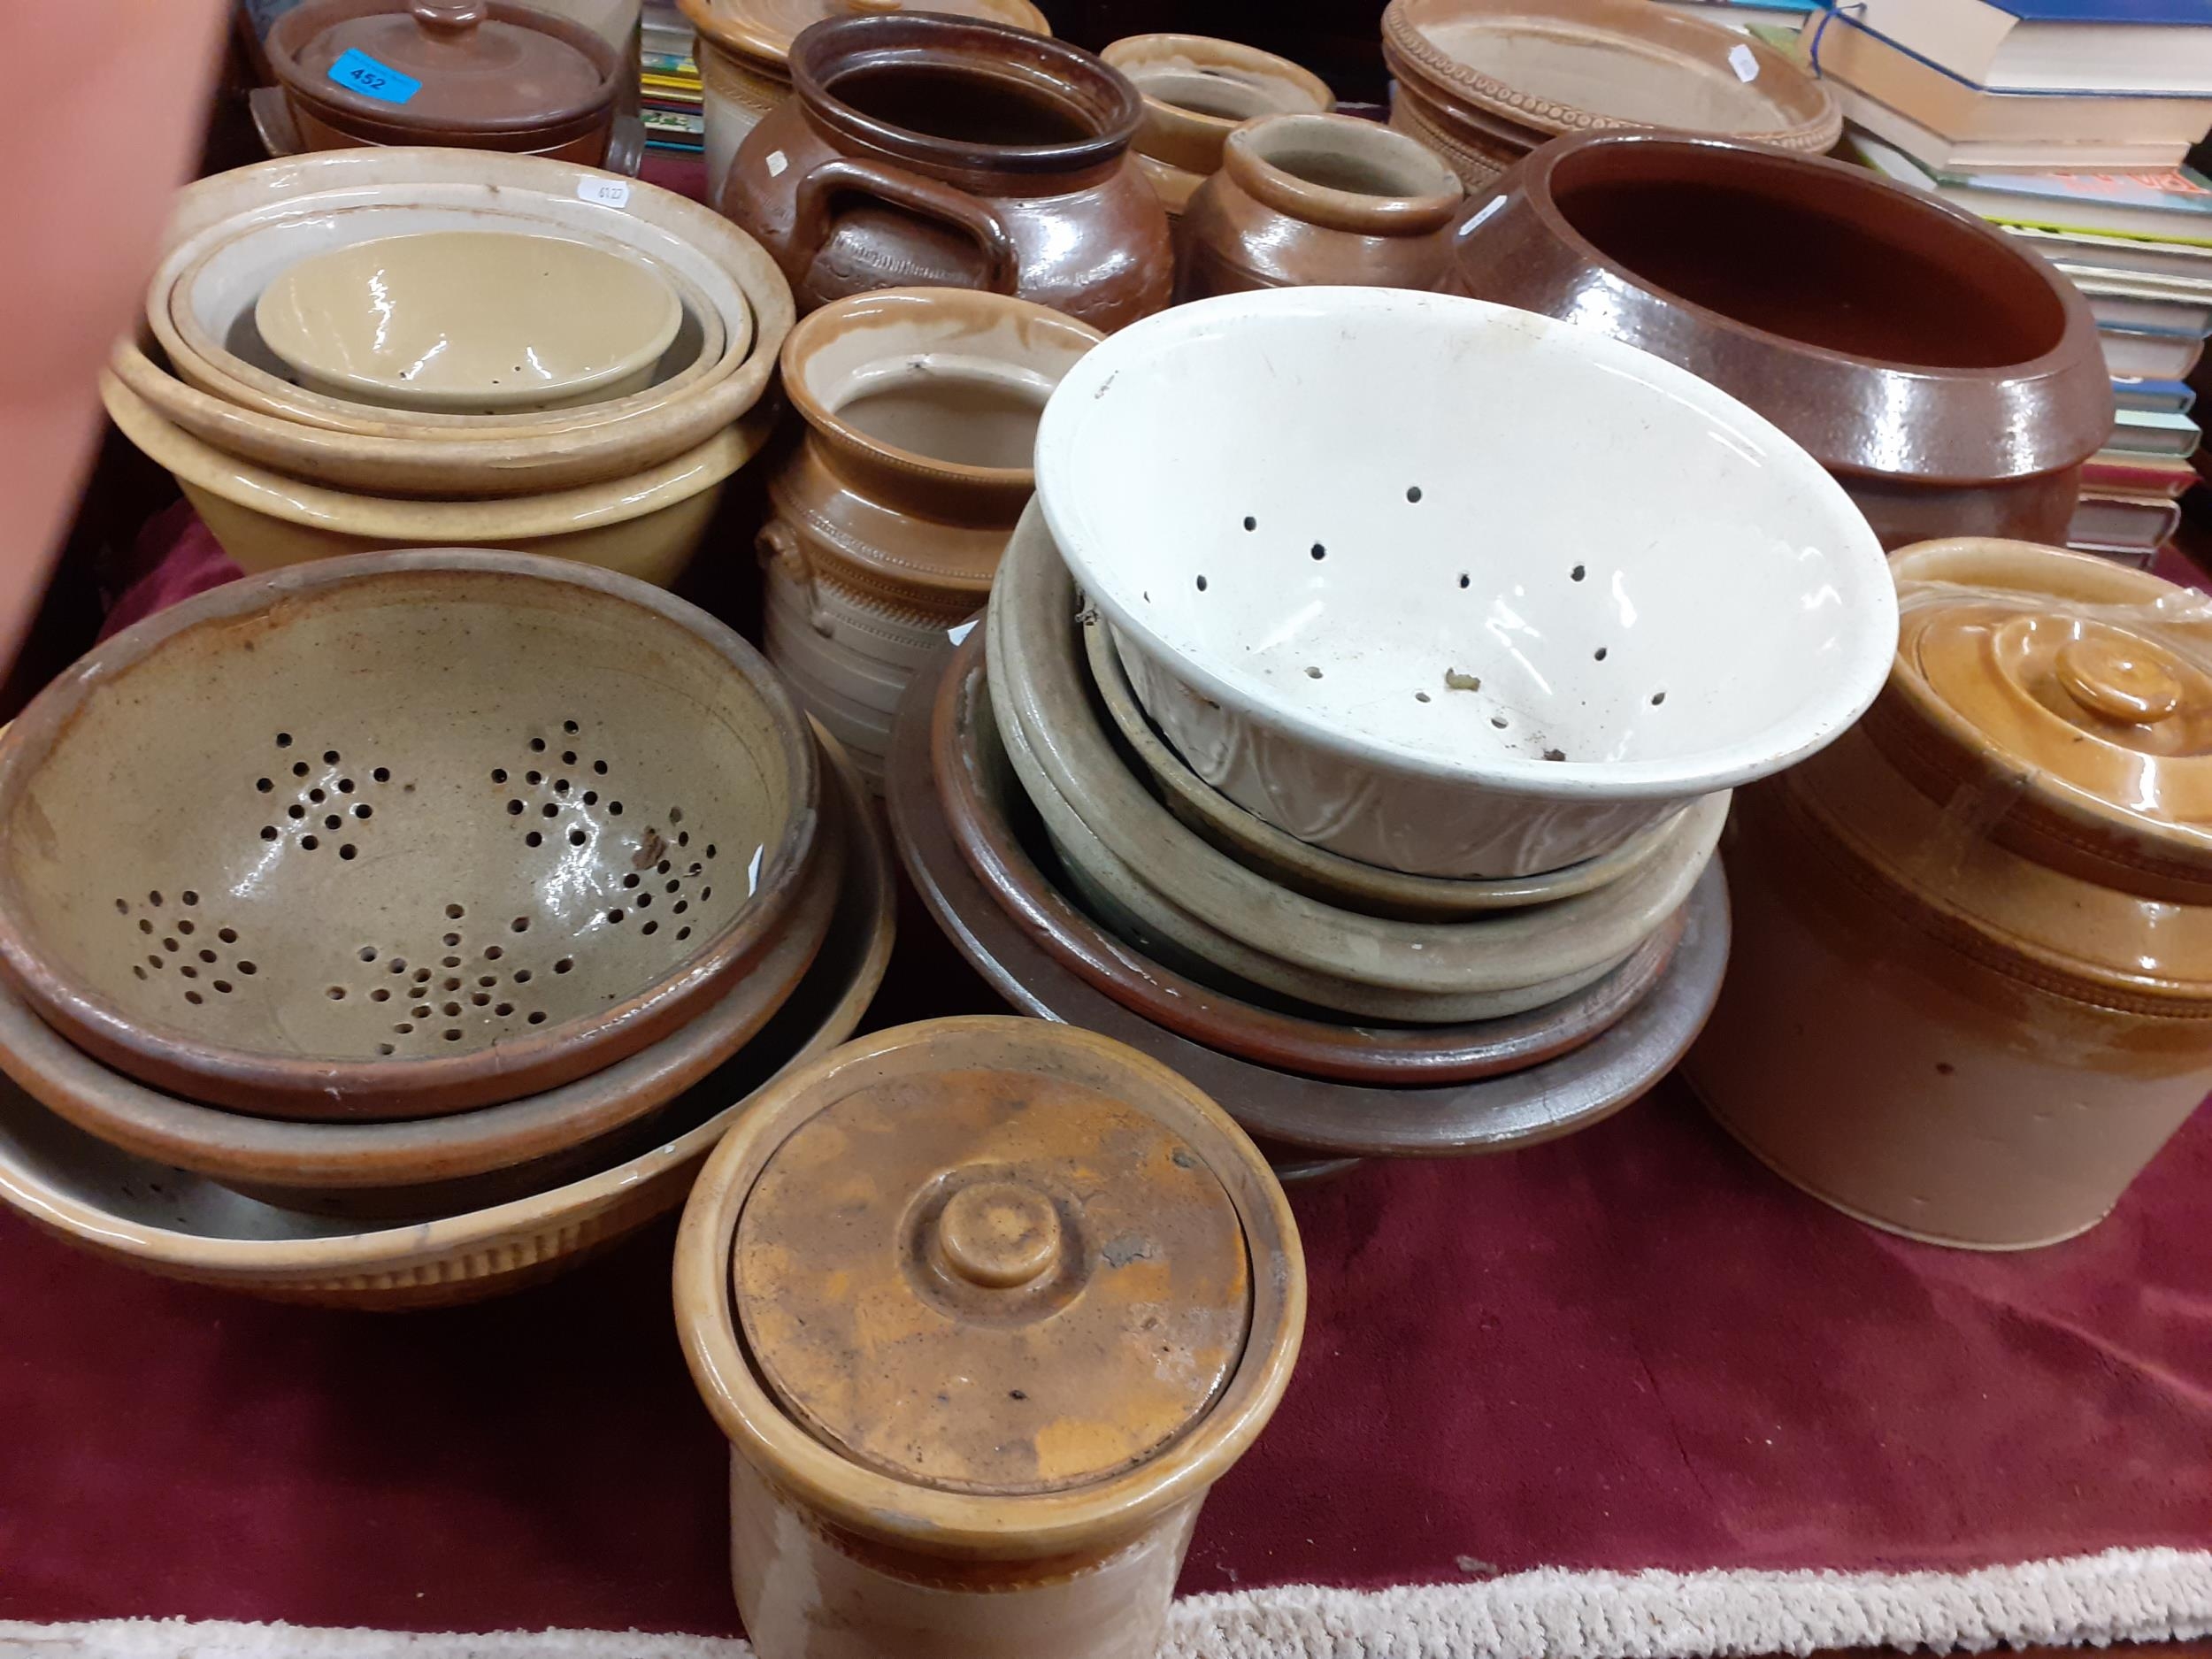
(317, 786)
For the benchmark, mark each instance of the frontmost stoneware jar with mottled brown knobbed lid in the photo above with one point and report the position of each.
(985, 1308)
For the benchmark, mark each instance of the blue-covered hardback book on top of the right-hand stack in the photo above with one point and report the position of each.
(2054, 45)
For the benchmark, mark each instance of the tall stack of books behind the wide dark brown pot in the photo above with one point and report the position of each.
(2065, 123)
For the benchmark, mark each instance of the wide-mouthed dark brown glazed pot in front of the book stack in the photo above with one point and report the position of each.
(1945, 377)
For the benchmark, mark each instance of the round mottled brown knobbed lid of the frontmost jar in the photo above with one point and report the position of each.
(997, 1266)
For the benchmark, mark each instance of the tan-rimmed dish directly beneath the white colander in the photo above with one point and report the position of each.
(1319, 873)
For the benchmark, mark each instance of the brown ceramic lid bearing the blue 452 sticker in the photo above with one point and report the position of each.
(452, 65)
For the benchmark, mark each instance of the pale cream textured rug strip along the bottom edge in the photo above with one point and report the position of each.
(2120, 1596)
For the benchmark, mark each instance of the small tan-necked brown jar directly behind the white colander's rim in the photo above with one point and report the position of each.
(1308, 200)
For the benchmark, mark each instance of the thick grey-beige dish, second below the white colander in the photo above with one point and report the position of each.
(1242, 921)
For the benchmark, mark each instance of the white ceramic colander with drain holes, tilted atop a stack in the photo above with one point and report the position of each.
(1545, 669)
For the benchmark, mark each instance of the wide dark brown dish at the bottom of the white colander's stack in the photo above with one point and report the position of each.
(1521, 1109)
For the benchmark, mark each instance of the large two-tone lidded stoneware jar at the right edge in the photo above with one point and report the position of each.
(1972, 979)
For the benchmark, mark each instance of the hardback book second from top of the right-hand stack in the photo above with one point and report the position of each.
(1941, 103)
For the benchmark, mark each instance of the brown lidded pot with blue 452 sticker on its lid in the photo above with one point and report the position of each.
(463, 74)
